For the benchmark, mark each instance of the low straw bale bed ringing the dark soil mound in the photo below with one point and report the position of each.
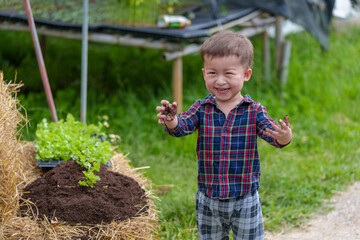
(141, 227)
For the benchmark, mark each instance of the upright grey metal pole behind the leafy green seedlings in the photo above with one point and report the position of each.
(84, 61)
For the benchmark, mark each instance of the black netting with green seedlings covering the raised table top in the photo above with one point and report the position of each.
(140, 20)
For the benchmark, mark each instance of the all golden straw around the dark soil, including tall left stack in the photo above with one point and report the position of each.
(18, 169)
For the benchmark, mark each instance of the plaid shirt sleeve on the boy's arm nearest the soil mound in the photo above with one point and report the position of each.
(187, 122)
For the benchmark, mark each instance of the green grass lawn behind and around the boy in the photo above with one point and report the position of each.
(321, 98)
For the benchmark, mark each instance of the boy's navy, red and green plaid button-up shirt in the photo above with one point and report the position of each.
(228, 158)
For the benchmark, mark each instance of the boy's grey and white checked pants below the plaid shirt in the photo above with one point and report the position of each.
(216, 217)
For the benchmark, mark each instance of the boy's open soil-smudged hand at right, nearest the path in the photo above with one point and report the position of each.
(282, 134)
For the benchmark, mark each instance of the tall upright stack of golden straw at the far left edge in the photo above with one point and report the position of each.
(10, 150)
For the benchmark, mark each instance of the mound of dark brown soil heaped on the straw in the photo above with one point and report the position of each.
(58, 195)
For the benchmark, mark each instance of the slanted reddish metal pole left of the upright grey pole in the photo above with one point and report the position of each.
(40, 60)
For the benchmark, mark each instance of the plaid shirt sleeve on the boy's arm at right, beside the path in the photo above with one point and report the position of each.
(262, 122)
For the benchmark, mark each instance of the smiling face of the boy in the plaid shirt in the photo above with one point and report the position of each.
(224, 78)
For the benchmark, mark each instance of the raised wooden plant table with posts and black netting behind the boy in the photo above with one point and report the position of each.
(136, 26)
